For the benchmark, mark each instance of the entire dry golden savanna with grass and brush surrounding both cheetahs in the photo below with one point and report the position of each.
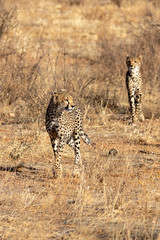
(79, 45)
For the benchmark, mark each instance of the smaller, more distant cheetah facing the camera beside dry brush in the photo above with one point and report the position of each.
(134, 87)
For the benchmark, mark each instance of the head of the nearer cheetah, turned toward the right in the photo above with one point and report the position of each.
(63, 100)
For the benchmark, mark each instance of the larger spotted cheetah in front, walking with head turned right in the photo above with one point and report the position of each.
(64, 125)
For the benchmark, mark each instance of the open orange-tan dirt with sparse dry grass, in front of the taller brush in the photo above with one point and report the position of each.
(116, 197)
